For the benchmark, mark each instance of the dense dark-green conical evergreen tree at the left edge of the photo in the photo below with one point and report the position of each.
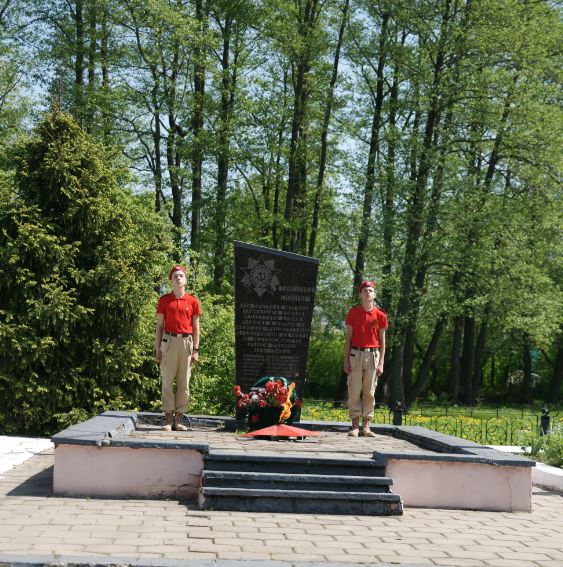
(83, 255)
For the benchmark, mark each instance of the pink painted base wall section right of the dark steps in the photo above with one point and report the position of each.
(438, 484)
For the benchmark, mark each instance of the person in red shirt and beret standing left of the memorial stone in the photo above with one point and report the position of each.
(177, 347)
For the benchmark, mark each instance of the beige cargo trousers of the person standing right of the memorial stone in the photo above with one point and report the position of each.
(362, 382)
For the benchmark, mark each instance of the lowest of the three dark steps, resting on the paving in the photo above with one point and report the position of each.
(300, 501)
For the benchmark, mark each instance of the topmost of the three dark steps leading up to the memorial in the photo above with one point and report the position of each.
(290, 464)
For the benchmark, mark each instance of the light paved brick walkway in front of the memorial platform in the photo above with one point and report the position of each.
(36, 523)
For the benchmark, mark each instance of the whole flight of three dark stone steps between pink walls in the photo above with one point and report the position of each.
(296, 484)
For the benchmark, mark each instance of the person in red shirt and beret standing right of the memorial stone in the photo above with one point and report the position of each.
(364, 355)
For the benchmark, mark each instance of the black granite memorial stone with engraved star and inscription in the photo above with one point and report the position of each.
(274, 299)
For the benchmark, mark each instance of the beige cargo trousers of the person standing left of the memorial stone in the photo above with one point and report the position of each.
(176, 364)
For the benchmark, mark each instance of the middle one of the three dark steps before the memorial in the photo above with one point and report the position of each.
(296, 482)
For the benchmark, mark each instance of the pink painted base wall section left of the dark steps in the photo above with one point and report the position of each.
(124, 472)
